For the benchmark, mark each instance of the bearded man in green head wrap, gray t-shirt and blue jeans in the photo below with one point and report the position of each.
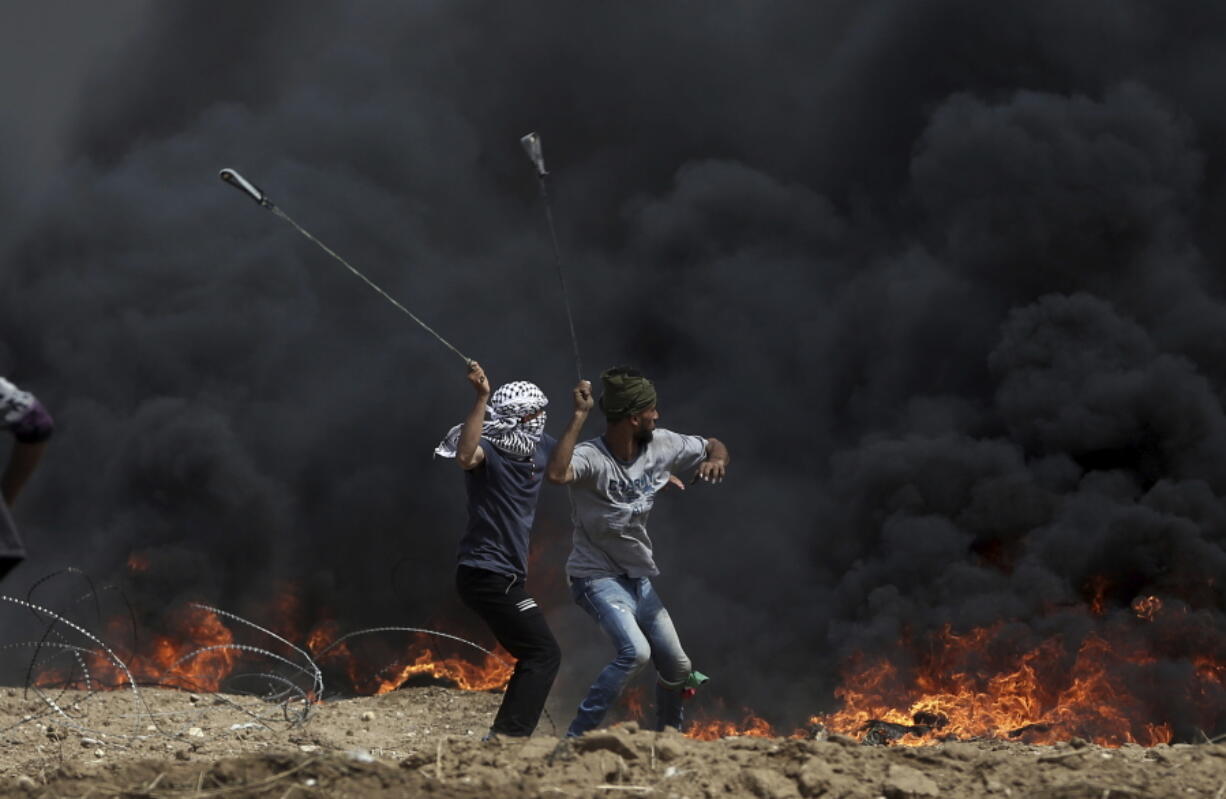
(614, 483)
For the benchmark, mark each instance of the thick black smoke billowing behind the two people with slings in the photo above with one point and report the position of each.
(943, 276)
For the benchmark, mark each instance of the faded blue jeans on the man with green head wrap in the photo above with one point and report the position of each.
(634, 618)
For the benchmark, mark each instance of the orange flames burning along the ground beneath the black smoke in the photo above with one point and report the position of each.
(956, 686)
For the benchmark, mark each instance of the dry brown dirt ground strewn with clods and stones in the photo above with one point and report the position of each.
(427, 742)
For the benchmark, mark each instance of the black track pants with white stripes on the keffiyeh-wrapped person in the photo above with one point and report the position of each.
(519, 626)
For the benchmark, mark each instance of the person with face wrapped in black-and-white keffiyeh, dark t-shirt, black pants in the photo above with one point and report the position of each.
(504, 459)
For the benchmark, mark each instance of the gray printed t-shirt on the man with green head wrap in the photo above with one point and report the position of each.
(611, 501)
